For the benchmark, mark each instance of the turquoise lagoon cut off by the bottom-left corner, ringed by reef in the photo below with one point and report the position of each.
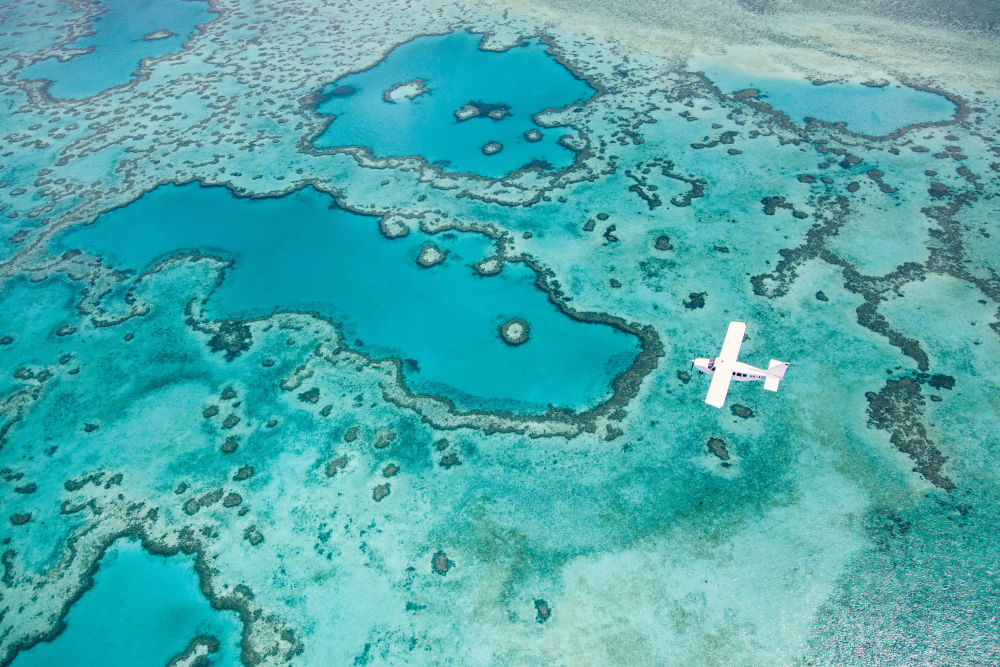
(142, 610)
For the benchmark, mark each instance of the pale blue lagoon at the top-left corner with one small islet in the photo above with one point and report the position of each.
(117, 45)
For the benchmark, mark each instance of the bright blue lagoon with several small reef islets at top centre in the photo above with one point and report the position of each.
(455, 72)
